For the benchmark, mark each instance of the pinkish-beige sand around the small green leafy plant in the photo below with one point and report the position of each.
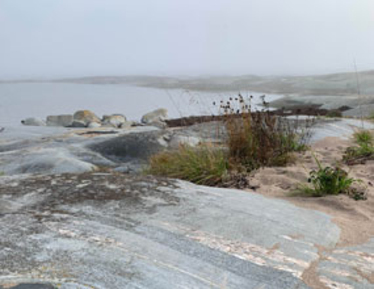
(355, 218)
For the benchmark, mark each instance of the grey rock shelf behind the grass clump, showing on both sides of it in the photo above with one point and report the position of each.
(59, 150)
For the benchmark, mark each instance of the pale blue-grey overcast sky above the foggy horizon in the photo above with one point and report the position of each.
(53, 38)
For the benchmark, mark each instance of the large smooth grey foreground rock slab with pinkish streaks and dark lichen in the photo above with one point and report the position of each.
(117, 231)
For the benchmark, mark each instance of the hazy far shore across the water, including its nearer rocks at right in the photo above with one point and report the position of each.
(331, 91)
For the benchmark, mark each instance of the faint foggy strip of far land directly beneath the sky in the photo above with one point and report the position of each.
(338, 84)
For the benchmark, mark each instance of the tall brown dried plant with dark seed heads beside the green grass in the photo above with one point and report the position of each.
(258, 139)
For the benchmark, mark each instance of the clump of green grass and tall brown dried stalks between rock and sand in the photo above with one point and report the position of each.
(253, 140)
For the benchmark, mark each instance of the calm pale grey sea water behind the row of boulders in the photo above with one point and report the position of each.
(22, 100)
